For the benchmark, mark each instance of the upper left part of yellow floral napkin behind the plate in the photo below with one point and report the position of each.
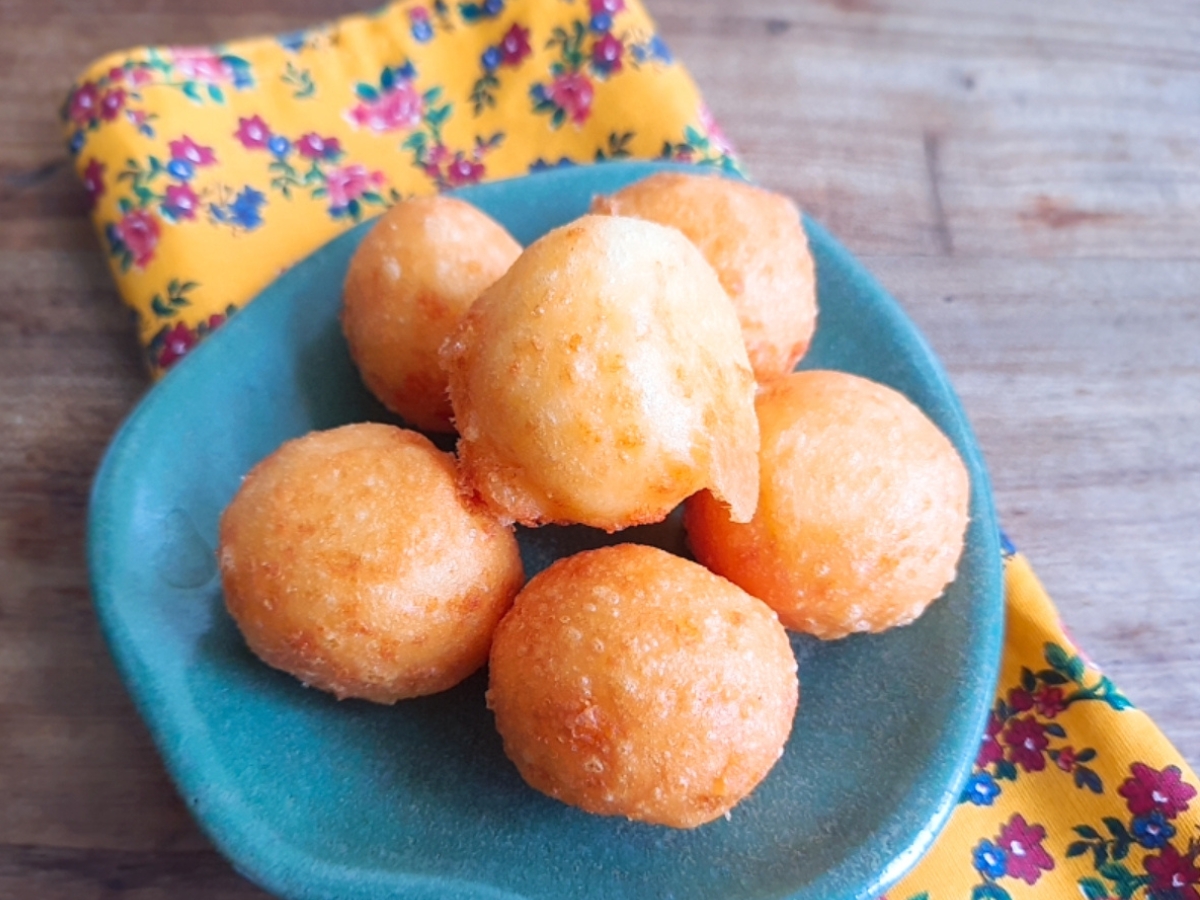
(212, 170)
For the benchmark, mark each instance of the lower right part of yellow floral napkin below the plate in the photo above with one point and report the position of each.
(1075, 793)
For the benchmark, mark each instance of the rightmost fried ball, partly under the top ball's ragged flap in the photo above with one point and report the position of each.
(862, 512)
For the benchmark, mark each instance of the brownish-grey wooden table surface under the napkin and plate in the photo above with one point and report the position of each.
(1025, 178)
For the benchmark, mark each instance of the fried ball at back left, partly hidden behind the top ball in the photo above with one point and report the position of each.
(412, 279)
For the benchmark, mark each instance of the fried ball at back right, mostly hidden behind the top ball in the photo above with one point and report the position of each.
(755, 242)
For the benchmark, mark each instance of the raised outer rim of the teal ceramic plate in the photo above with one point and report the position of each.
(279, 867)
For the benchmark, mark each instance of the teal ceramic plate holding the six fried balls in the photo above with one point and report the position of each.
(313, 799)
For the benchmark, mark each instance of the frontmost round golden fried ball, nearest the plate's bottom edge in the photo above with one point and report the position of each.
(631, 682)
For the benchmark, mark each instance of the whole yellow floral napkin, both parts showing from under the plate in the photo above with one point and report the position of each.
(212, 170)
